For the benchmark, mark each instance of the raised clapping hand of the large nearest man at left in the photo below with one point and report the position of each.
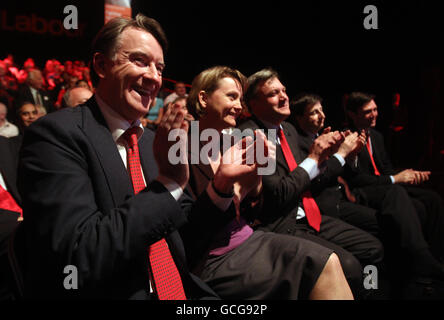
(172, 119)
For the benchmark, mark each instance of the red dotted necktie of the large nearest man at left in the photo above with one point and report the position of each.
(166, 277)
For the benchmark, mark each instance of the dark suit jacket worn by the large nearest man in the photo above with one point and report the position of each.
(80, 209)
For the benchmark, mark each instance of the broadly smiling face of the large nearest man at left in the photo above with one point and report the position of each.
(131, 81)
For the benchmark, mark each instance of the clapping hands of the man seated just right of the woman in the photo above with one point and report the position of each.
(325, 145)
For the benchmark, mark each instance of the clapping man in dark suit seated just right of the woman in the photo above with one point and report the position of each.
(284, 189)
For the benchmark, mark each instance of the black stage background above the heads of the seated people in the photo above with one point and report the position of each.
(316, 46)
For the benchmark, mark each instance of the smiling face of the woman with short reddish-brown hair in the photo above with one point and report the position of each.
(222, 106)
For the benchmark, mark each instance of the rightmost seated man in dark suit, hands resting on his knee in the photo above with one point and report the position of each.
(376, 176)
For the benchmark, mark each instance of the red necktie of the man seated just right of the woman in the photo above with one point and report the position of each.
(311, 208)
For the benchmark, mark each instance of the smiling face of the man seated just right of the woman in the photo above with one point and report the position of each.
(271, 102)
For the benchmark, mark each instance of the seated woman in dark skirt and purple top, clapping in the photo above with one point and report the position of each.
(236, 261)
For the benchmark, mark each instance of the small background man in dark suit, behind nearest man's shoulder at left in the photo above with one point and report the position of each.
(33, 91)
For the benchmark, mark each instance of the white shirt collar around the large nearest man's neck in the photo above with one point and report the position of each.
(116, 124)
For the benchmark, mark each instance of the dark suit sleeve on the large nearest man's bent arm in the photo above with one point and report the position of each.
(64, 221)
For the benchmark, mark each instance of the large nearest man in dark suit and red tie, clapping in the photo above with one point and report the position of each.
(99, 193)
